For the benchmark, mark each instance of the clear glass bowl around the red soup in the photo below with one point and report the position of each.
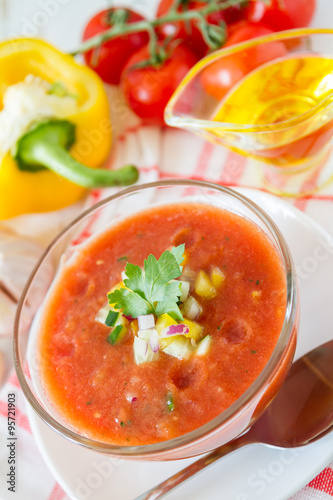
(243, 412)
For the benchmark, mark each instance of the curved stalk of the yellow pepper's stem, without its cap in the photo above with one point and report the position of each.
(58, 160)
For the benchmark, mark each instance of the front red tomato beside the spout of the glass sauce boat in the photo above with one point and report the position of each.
(148, 90)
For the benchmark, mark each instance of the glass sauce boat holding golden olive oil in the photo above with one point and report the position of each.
(271, 99)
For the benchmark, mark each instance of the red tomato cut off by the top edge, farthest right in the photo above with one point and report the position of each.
(281, 14)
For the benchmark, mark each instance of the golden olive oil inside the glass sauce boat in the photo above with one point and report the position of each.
(289, 103)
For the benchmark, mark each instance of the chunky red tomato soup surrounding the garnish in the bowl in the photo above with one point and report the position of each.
(99, 388)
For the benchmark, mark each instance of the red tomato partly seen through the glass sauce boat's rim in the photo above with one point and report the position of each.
(225, 73)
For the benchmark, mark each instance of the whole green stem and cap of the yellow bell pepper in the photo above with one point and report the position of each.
(46, 146)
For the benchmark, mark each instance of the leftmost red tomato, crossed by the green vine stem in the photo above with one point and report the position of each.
(109, 60)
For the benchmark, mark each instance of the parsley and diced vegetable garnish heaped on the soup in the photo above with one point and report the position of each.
(155, 291)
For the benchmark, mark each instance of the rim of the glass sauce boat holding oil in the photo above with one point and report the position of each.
(187, 122)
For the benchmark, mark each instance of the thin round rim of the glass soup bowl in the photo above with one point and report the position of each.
(241, 403)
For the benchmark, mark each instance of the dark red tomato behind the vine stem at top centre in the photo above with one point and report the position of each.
(190, 34)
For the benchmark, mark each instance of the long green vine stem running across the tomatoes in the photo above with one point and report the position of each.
(171, 17)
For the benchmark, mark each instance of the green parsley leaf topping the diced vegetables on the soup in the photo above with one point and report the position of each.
(151, 290)
